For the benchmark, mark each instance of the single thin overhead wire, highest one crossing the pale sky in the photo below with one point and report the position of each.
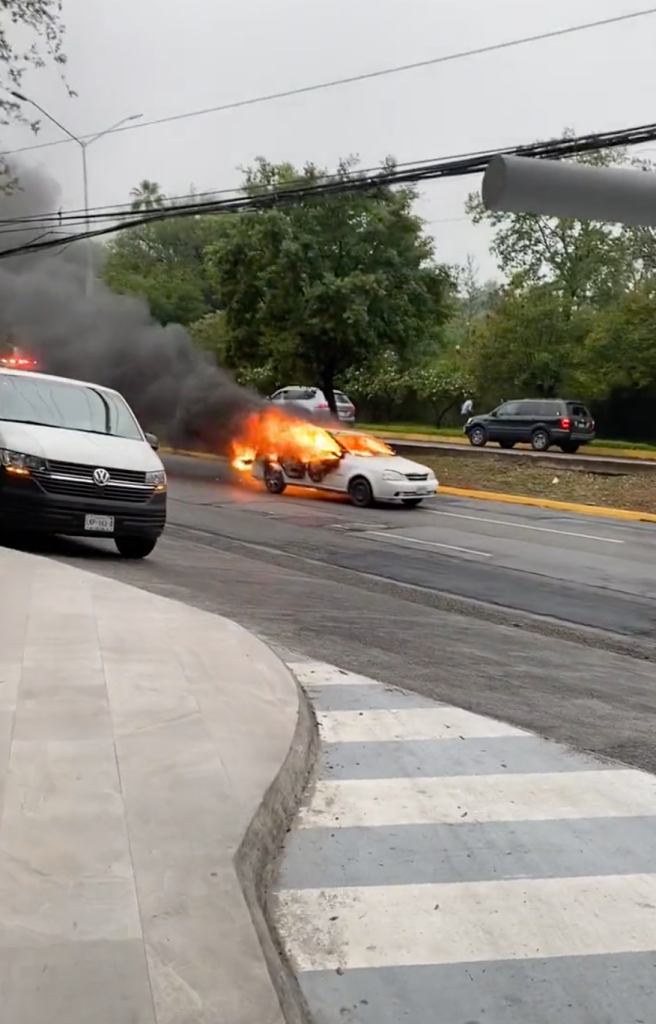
(355, 79)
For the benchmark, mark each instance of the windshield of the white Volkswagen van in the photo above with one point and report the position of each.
(70, 407)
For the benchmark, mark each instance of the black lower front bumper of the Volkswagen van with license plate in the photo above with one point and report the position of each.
(25, 507)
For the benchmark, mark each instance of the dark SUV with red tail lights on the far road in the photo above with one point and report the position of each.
(539, 422)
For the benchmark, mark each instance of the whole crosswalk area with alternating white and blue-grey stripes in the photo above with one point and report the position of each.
(449, 862)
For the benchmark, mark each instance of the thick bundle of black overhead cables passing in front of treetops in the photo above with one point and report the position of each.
(335, 186)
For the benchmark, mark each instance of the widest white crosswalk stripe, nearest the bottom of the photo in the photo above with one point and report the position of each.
(403, 926)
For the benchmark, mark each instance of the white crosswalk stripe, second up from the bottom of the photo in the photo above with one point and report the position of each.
(385, 802)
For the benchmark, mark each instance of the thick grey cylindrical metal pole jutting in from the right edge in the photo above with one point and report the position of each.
(571, 191)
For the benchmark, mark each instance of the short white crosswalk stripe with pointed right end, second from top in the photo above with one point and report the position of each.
(395, 726)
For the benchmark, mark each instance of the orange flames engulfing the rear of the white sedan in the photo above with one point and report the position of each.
(274, 436)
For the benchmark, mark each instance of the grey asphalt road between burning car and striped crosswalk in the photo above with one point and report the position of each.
(421, 599)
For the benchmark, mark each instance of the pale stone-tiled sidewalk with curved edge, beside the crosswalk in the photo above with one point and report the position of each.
(139, 740)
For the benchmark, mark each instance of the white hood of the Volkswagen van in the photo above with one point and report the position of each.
(78, 447)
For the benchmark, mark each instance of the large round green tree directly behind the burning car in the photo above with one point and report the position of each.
(326, 284)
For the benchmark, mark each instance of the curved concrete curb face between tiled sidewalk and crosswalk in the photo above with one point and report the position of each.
(259, 855)
